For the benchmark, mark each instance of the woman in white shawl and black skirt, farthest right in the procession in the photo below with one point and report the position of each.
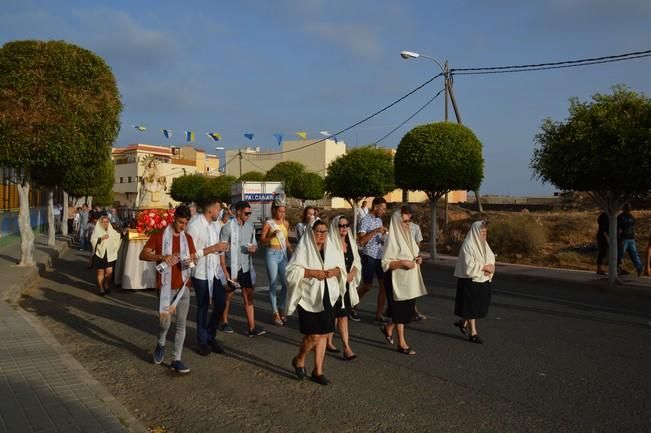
(475, 269)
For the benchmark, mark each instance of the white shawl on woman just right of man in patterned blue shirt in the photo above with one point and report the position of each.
(400, 245)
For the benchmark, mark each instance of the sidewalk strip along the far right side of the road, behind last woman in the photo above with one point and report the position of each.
(579, 279)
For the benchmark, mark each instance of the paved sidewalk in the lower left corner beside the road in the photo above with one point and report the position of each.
(42, 387)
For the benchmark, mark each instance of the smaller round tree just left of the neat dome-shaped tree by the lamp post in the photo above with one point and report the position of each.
(362, 172)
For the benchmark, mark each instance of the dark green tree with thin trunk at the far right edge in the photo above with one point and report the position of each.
(603, 148)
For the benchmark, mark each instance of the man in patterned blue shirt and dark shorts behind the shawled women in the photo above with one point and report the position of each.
(371, 238)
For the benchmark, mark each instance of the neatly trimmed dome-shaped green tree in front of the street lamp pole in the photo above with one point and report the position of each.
(438, 158)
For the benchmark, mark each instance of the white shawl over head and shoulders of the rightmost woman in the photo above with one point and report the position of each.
(474, 255)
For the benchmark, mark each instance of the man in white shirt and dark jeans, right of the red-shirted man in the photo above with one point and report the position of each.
(207, 276)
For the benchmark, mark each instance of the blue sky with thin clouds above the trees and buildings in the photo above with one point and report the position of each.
(271, 66)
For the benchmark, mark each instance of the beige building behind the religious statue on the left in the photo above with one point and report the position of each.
(144, 172)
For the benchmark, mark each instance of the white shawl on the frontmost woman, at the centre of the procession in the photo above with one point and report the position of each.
(308, 292)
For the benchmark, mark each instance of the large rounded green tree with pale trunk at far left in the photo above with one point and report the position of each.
(59, 109)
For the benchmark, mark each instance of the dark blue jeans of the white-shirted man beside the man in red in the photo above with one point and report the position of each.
(207, 327)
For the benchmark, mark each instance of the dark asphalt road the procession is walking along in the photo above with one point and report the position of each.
(554, 361)
